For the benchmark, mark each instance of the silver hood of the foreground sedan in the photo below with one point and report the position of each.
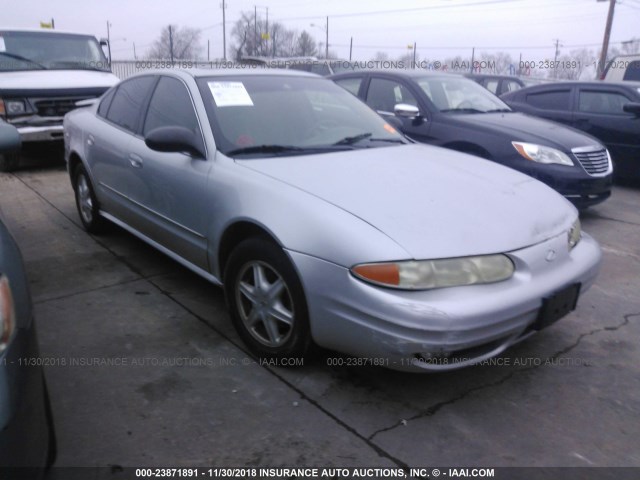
(433, 202)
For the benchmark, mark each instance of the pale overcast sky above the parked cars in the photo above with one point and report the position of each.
(440, 28)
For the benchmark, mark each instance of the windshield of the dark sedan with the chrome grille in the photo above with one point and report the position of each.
(457, 94)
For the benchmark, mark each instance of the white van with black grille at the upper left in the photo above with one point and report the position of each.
(43, 74)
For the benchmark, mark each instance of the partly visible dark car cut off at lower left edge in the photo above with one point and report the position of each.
(27, 438)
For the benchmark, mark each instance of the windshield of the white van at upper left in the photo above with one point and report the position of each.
(50, 51)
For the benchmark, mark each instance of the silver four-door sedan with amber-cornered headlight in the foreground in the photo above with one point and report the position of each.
(323, 223)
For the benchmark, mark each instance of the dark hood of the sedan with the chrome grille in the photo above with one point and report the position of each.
(525, 128)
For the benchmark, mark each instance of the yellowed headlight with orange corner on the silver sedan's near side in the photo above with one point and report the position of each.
(427, 274)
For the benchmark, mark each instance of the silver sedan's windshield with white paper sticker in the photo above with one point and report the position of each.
(275, 115)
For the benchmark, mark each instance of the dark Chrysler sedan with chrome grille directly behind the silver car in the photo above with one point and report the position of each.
(451, 111)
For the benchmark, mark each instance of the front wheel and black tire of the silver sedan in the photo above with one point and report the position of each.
(260, 316)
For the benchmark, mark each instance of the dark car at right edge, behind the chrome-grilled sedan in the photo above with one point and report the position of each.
(608, 111)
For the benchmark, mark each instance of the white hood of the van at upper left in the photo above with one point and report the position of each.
(56, 80)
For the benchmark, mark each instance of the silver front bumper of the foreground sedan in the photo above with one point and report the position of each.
(440, 329)
